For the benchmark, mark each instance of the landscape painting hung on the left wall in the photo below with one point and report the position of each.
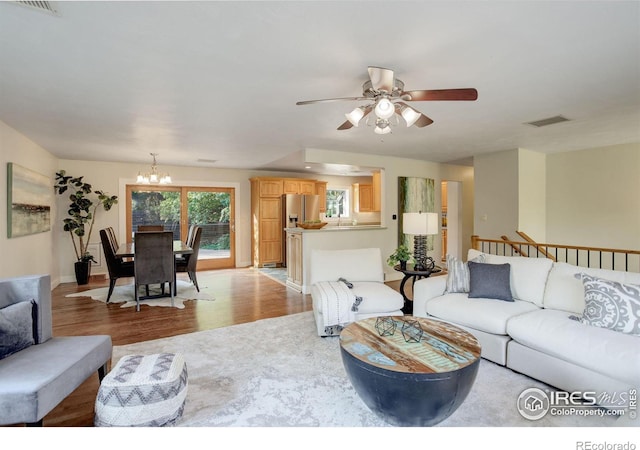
(29, 200)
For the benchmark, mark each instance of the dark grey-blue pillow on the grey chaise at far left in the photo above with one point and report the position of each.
(16, 328)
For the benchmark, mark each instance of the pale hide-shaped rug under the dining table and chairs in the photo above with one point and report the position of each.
(125, 294)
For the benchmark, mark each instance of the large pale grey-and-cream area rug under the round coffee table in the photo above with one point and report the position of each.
(279, 373)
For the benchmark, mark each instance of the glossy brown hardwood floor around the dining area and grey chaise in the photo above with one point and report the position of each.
(241, 295)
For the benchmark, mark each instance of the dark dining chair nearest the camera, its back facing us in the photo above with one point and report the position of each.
(154, 263)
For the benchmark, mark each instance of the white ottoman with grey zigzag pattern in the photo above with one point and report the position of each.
(143, 391)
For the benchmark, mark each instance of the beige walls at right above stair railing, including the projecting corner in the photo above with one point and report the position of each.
(591, 196)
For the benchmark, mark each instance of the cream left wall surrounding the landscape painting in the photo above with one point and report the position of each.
(32, 254)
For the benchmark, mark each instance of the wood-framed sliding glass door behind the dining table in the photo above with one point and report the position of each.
(176, 208)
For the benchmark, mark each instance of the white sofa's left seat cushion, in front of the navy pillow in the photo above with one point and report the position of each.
(482, 314)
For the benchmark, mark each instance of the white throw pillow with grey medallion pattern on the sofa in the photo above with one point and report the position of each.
(612, 305)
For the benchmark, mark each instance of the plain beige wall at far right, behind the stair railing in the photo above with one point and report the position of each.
(593, 197)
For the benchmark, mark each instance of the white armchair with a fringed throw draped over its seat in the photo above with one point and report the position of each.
(363, 268)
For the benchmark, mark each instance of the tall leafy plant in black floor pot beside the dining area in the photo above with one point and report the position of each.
(82, 215)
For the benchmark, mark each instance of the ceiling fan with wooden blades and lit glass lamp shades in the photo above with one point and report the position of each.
(387, 96)
